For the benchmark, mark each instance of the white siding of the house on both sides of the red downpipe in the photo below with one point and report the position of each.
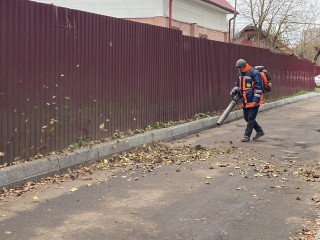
(189, 11)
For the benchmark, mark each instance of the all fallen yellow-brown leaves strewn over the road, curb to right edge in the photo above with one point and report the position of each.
(248, 163)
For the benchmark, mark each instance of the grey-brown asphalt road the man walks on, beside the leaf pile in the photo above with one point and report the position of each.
(266, 190)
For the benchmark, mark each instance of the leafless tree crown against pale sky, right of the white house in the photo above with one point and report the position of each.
(283, 20)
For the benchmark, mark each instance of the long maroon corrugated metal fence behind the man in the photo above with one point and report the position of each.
(66, 74)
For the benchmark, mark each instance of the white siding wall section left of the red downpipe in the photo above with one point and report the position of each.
(113, 8)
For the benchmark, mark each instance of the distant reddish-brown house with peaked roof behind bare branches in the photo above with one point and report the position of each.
(249, 37)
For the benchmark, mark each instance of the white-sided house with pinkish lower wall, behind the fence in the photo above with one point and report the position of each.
(196, 18)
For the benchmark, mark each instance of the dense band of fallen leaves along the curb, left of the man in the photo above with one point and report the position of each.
(144, 158)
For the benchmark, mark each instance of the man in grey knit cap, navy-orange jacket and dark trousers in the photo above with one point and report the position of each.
(249, 87)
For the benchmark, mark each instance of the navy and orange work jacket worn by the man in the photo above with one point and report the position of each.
(250, 85)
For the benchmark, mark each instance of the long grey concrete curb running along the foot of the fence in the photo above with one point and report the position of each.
(19, 174)
